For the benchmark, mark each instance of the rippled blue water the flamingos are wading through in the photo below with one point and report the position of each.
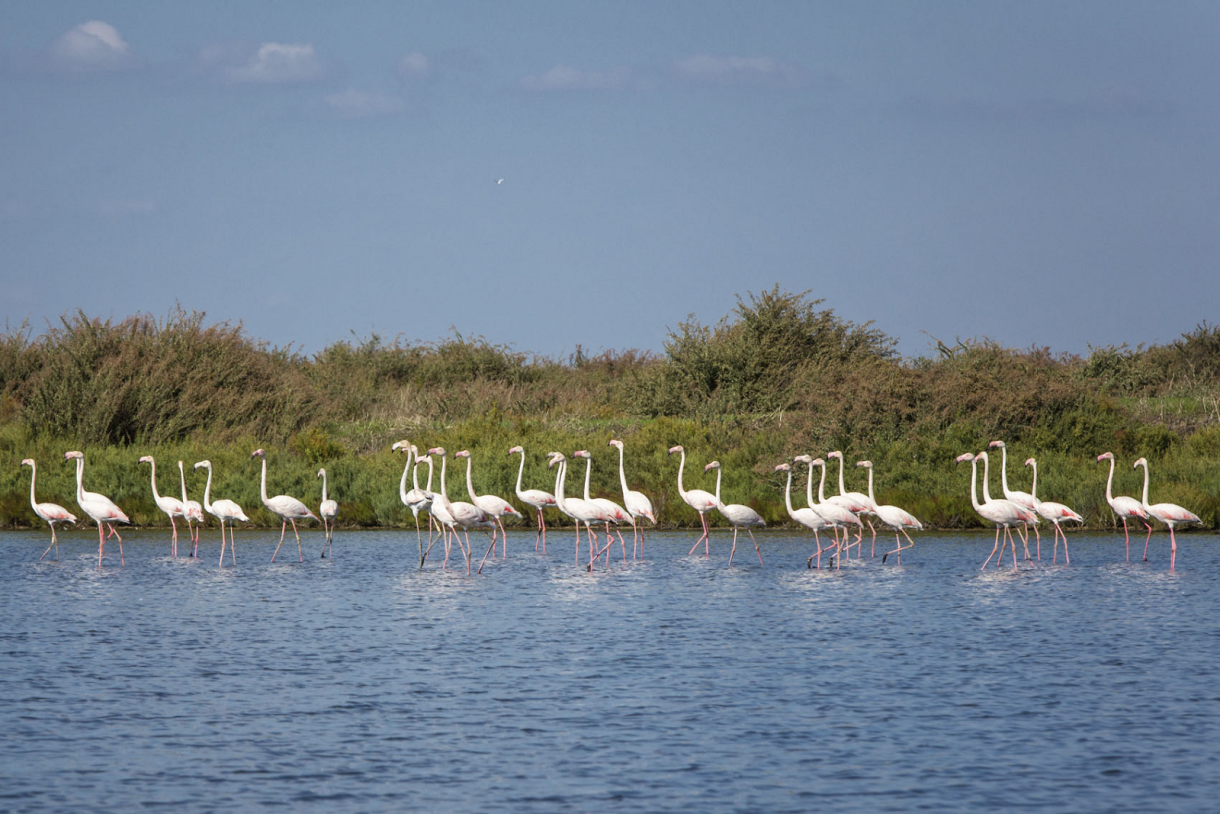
(361, 683)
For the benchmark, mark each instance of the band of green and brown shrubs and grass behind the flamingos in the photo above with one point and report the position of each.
(774, 379)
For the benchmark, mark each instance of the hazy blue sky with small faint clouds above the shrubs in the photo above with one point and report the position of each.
(1035, 173)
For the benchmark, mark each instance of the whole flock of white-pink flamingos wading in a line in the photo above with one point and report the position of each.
(840, 514)
